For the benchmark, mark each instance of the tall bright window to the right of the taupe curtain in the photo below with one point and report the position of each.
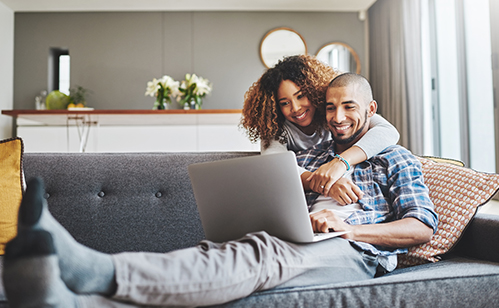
(459, 86)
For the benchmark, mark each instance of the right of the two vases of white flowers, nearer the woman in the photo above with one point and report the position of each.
(192, 89)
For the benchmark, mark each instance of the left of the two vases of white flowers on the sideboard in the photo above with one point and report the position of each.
(164, 89)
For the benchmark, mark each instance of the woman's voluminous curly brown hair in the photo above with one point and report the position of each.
(262, 117)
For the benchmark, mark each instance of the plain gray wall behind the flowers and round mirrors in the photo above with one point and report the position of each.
(115, 54)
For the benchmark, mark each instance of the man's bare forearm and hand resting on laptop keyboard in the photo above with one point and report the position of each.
(405, 232)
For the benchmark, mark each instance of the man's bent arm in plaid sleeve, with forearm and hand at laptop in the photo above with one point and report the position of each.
(414, 219)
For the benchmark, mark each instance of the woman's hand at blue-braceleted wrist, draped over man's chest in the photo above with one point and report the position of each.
(322, 179)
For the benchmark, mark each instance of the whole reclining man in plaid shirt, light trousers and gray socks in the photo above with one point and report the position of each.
(45, 266)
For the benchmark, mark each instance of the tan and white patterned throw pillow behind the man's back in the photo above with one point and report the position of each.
(457, 192)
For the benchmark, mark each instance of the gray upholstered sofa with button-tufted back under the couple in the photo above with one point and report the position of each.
(144, 202)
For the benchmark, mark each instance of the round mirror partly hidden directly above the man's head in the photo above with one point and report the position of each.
(340, 56)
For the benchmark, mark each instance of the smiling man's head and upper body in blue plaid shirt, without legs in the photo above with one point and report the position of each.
(349, 105)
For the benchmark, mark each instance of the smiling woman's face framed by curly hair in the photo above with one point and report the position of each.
(295, 106)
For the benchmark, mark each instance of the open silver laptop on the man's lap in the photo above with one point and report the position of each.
(249, 194)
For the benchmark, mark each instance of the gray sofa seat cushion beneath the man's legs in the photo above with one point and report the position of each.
(448, 283)
